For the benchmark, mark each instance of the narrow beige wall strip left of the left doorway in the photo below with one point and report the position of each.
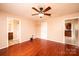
(3, 30)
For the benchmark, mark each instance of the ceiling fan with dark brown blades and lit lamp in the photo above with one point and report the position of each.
(41, 11)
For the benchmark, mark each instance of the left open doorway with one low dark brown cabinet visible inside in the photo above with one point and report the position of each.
(13, 30)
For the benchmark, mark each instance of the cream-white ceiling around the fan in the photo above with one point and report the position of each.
(26, 11)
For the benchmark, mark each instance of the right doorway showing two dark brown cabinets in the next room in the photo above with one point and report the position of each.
(71, 31)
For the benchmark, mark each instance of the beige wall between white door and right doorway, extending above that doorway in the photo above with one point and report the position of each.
(56, 27)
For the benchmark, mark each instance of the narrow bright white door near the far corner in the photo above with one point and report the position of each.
(44, 30)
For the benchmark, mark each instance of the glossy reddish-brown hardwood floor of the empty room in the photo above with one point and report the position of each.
(40, 47)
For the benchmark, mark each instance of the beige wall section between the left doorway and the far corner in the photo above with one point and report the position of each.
(28, 29)
